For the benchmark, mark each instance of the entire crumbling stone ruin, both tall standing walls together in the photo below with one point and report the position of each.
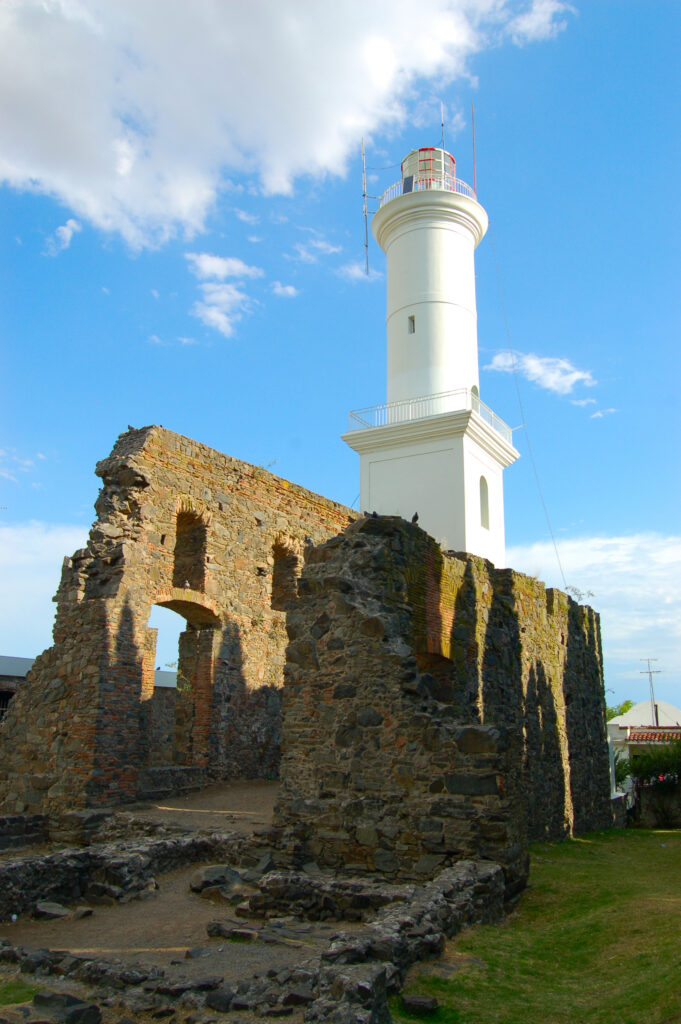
(435, 708)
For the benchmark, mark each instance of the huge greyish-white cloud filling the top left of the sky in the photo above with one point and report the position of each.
(139, 118)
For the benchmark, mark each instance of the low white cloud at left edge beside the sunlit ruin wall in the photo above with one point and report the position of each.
(31, 556)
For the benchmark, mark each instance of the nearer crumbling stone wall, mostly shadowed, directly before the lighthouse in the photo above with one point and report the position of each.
(437, 708)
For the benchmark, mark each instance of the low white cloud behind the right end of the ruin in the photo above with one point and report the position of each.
(635, 586)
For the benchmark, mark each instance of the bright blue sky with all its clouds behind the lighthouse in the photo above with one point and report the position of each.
(183, 241)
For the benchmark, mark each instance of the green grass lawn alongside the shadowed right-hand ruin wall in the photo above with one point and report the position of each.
(597, 937)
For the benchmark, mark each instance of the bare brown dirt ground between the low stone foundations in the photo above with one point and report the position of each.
(167, 929)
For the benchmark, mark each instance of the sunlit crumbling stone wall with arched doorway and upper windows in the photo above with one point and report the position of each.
(190, 529)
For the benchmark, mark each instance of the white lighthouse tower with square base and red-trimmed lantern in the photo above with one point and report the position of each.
(435, 448)
